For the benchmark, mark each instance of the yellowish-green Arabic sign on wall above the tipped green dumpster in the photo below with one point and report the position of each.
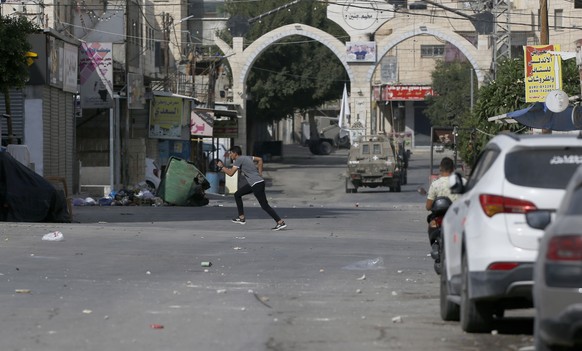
(165, 117)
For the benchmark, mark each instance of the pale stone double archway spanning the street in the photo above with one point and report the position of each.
(360, 75)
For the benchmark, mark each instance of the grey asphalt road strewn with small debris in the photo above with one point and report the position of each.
(350, 272)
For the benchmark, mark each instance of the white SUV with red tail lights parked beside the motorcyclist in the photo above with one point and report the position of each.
(489, 249)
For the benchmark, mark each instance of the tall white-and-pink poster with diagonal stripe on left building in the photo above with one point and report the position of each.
(96, 75)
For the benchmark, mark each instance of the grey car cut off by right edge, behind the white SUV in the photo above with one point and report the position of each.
(558, 273)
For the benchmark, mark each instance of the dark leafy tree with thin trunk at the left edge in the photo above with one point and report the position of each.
(13, 57)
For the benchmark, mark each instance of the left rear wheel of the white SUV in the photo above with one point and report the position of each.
(476, 317)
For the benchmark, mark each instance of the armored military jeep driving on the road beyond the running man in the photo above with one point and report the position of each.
(372, 162)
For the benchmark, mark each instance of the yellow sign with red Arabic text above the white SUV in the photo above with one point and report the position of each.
(543, 71)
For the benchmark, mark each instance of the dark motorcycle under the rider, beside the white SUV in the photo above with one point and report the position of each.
(438, 210)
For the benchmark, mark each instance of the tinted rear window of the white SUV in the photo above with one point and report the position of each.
(549, 168)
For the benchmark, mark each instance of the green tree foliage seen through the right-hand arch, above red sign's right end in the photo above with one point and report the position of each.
(451, 82)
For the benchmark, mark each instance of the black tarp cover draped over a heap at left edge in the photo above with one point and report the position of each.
(26, 196)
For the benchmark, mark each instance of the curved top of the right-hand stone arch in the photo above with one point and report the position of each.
(480, 60)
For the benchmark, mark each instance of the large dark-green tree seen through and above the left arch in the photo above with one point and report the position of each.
(296, 73)
